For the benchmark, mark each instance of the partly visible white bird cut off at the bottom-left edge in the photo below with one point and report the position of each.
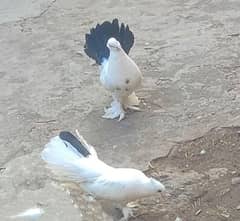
(32, 214)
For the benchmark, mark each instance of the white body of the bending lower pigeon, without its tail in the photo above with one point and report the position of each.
(121, 185)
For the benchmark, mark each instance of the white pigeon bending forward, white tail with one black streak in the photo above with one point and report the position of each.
(77, 161)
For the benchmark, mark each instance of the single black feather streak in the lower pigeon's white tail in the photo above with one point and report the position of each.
(70, 138)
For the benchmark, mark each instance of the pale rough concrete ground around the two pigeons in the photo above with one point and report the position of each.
(188, 51)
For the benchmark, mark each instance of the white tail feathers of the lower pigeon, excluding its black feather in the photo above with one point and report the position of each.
(70, 163)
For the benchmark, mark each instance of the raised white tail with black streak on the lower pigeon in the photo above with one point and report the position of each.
(65, 156)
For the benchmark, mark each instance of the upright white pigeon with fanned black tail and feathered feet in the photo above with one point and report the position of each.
(109, 44)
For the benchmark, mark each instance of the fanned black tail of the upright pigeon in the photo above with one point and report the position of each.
(95, 46)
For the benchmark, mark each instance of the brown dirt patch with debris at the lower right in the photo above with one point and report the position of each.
(202, 178)
